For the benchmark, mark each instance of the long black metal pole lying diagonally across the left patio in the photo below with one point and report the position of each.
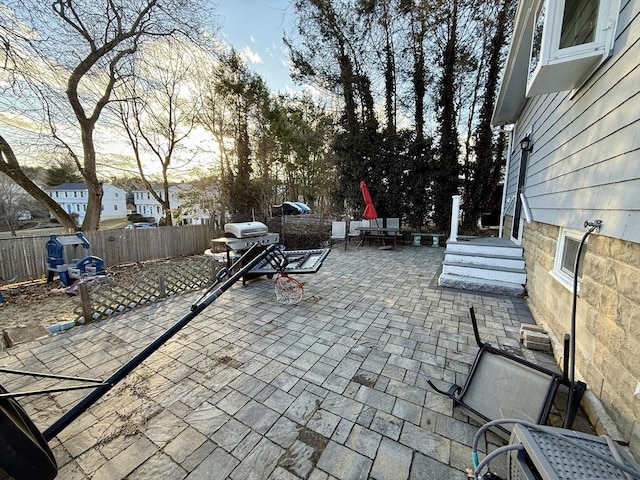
(127, 368)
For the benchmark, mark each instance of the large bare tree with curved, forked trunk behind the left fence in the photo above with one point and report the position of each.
(87, 46)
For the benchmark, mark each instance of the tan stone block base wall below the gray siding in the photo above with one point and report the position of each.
(607, 319)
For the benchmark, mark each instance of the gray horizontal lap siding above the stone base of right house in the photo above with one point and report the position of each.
(585, 162)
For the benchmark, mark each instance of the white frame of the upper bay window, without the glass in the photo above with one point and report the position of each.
(559, 69)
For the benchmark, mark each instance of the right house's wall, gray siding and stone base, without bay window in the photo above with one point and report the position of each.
(585, 165)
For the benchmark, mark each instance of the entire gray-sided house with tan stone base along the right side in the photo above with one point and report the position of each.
(571, 90)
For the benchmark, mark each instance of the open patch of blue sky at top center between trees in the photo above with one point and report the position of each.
(255, 28)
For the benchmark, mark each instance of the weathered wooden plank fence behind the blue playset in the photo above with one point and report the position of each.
(25, 257)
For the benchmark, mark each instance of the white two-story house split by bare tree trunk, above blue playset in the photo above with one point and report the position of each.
(73, 197)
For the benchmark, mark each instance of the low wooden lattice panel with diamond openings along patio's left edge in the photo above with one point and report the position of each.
(111, 298)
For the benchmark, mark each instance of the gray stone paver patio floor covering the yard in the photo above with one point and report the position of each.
(334, 387)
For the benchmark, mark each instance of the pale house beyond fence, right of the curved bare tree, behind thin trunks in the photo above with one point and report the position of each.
(147, 206)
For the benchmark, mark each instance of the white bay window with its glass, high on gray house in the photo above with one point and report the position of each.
(571, 38)
